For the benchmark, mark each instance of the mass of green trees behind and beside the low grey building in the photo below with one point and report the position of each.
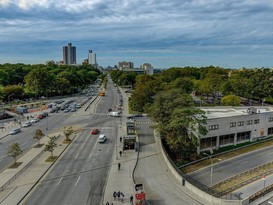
(168, 97)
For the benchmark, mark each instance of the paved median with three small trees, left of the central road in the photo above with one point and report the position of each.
(16, 183)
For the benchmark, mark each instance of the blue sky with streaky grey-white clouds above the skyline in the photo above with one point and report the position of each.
(165, 33)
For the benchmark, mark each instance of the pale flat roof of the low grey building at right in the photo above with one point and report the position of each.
(220, 112)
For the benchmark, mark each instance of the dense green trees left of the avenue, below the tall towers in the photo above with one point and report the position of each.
(24, 81)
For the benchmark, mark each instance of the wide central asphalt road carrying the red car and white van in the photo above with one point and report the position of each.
(80, 175)
